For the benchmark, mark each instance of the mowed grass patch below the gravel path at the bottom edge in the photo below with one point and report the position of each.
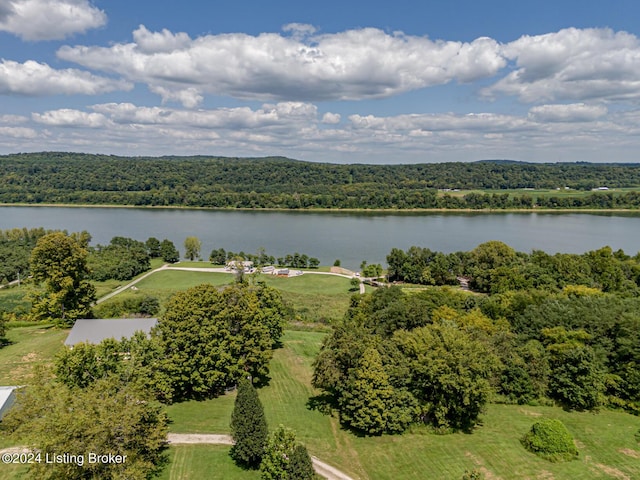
(211, 462)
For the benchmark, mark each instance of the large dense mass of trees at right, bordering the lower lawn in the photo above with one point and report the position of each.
(438, 356)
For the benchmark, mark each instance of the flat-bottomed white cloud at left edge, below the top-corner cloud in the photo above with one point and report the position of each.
(33, 78)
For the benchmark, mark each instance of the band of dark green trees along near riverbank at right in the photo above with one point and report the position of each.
(495, 268)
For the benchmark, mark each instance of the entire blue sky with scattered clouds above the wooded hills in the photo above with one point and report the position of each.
(333, 81)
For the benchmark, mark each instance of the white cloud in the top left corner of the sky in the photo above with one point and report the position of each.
(49, 19)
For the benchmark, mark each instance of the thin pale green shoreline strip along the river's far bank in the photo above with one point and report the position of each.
(334, 210)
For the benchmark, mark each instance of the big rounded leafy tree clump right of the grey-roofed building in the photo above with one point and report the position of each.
(212, 338)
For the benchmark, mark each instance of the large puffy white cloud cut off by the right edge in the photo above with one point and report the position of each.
(572, 64)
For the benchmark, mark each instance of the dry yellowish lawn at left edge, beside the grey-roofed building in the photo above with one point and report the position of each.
(28, 346)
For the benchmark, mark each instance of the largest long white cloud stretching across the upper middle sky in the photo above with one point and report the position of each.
(351, 65)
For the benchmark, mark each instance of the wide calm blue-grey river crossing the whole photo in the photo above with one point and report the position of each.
(350, 237)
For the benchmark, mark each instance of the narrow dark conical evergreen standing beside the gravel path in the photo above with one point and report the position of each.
(248, 426)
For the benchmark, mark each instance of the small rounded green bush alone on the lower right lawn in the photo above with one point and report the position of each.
(550, 439)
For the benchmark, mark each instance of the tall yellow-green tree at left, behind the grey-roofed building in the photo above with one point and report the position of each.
(59, 263)
